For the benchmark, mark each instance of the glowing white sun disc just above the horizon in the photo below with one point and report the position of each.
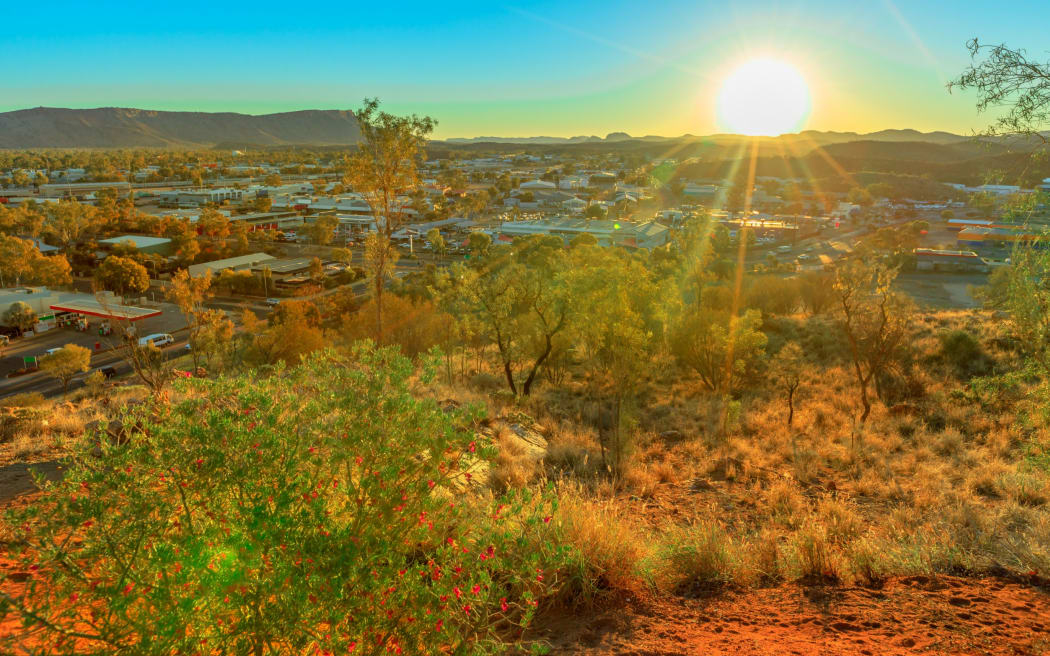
(764, 97)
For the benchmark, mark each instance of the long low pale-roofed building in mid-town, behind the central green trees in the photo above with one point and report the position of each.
(608, 232)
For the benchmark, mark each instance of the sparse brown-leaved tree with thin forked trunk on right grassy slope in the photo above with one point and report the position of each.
(875, 321)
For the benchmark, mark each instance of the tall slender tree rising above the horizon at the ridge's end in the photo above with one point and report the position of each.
(385, 167)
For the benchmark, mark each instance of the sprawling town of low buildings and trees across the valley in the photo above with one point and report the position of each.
(268, 230)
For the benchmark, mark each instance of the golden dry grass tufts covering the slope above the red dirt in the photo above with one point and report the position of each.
(937, 484)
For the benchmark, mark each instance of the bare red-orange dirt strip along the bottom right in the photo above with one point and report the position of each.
(917, 616)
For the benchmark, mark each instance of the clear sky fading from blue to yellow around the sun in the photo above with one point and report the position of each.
(485, 69)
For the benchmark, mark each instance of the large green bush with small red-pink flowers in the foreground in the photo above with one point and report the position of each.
(323, 511)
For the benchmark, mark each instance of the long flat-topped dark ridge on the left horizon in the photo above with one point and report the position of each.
(116, 128)
